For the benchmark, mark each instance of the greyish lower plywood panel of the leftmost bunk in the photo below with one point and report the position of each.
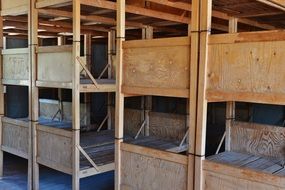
(15, 137)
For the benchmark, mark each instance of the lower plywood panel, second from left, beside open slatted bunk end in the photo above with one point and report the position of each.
(54, 148)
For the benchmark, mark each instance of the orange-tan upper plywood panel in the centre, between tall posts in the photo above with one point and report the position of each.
(157, 67)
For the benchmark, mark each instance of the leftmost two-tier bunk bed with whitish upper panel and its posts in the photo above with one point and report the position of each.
(15, 70)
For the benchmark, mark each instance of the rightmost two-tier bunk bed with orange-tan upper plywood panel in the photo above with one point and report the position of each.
(247, 67)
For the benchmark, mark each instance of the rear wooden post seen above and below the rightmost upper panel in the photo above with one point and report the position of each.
(230, 107)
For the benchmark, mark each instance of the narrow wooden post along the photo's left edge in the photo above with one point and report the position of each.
(1, 93)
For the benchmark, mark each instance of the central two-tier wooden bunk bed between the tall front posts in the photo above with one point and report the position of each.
(150, 158)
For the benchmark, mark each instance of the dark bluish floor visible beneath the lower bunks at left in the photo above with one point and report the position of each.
(15, 177)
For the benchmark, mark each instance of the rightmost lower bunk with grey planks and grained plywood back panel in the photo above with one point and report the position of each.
(255, 159)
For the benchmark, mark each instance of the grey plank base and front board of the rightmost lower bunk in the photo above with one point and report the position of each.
(232, 170)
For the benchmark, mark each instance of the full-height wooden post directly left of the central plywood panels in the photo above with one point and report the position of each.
(119, 113)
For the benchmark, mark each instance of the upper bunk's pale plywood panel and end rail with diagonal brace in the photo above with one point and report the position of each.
(55, 71)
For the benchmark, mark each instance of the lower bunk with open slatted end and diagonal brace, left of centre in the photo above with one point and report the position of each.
(54, 148)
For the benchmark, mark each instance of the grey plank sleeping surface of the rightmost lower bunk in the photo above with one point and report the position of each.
(257, 163)
